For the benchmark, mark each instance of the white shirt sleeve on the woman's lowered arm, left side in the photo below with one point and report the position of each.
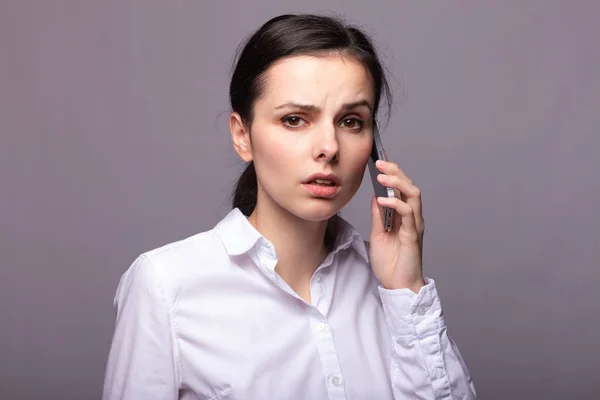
(142, 362)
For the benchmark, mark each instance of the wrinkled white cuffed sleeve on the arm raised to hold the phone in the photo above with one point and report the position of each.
(426, 363)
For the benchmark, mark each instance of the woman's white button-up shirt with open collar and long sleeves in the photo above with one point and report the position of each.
(208, 317)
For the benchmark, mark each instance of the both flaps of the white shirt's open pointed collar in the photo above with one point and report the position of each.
(239, 236)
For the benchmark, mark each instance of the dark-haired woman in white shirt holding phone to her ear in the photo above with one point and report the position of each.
(283, 299)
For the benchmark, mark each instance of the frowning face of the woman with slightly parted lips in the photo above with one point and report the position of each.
(314, 117)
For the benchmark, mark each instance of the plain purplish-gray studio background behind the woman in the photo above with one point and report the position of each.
(114, 140)
